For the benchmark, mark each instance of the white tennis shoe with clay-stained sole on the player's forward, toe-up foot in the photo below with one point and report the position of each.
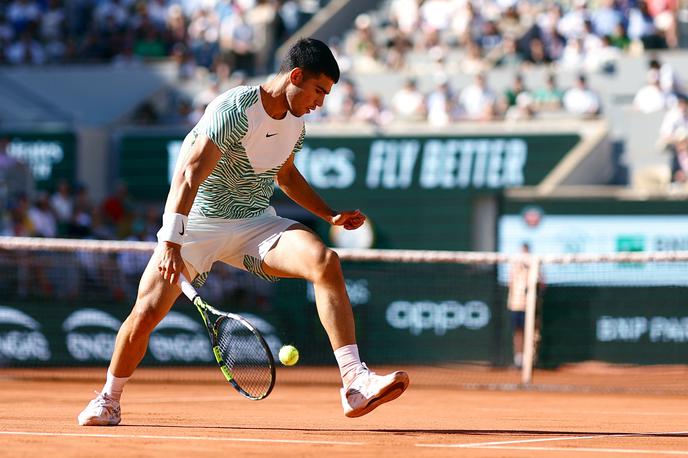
(369, 390)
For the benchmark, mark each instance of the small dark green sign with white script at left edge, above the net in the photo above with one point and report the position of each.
(51, 156)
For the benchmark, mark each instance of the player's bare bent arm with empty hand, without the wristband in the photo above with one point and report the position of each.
(297, 188)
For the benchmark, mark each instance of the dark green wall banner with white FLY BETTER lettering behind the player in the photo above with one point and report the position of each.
(417, 191)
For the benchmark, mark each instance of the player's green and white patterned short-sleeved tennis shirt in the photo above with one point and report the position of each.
(254, 147)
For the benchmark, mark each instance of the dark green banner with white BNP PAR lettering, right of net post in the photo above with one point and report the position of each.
(641, 325)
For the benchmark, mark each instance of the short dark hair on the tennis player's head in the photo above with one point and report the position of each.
(313, 56)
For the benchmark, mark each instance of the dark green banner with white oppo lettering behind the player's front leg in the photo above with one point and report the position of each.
(407, 313)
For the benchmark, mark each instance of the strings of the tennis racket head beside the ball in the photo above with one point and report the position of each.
(246, 357)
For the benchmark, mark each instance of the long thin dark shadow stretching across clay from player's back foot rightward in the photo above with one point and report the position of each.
(418, 431)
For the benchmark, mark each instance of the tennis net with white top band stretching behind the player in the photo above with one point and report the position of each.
(607, 322)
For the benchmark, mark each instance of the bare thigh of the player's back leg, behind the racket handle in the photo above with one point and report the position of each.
(155, 295)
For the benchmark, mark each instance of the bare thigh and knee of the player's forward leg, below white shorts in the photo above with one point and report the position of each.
(298, 253)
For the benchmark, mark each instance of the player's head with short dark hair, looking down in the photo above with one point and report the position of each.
(312, 71)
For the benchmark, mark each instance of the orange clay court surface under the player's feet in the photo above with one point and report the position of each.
(189, 419)
